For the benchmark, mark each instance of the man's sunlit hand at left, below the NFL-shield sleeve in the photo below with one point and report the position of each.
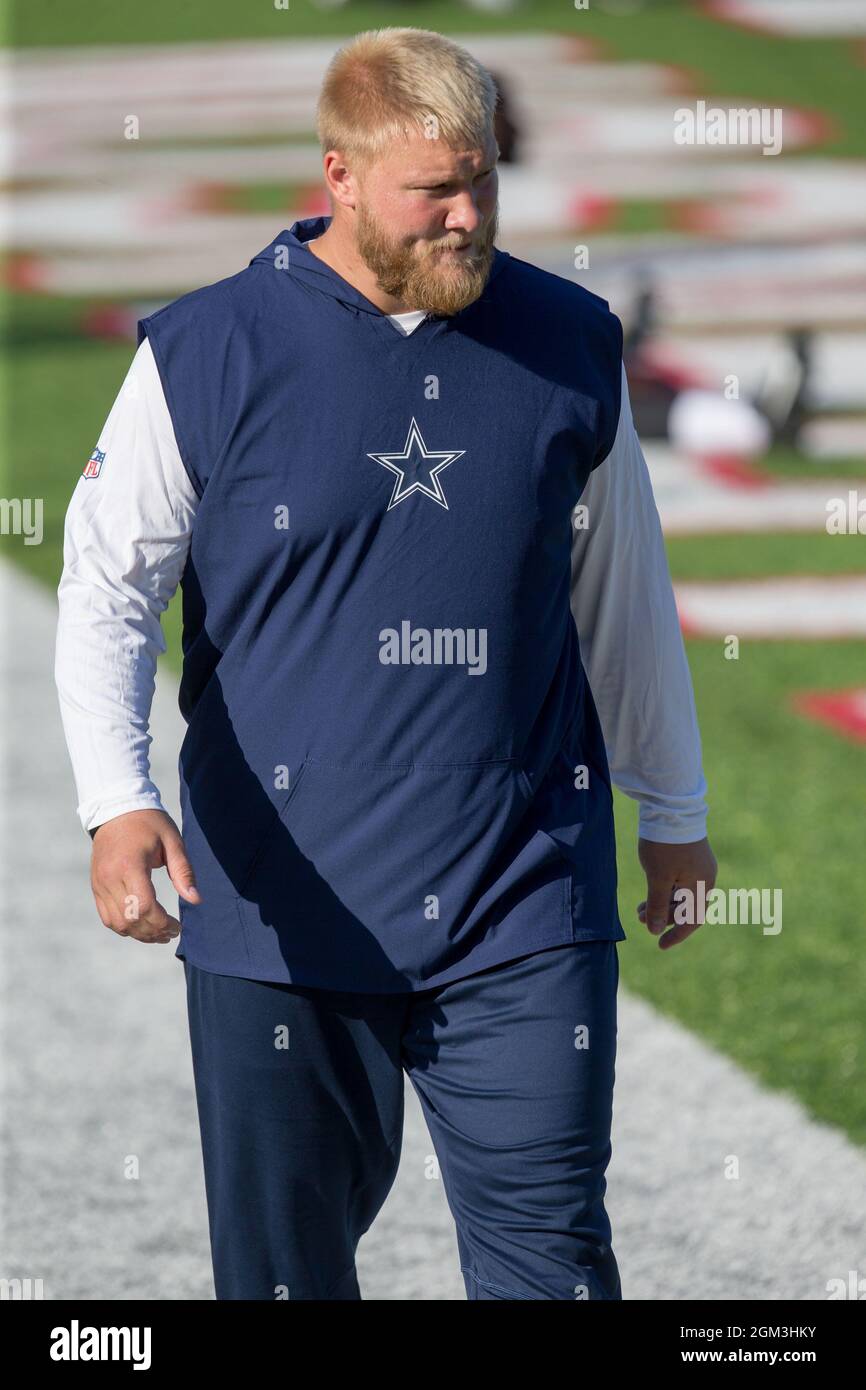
(126, 850)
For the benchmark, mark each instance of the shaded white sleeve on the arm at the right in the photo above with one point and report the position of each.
(632, 644)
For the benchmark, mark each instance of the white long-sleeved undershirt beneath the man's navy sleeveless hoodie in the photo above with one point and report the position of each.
(126, 544)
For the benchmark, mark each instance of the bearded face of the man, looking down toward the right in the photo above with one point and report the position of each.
(426, 223)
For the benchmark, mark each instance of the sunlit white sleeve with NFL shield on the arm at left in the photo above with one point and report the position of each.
(127, 536)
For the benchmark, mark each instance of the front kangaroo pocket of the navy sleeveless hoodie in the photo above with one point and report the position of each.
(397, 847)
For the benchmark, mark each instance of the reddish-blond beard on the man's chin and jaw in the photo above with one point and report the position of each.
(433, 280)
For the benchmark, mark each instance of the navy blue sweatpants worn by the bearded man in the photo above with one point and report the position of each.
(301, 1107)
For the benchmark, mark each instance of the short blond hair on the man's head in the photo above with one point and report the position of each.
(387, 83)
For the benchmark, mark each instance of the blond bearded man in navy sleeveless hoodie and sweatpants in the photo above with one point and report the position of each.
(361, 457)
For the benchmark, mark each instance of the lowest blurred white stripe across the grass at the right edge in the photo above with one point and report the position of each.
(776, 608)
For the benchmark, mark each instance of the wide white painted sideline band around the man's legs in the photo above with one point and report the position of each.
(98, 1060)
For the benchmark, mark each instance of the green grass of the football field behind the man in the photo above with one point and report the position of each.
(786, 794)
